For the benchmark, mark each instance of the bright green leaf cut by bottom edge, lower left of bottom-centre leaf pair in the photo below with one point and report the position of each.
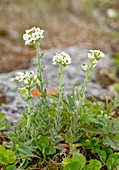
(72, 166)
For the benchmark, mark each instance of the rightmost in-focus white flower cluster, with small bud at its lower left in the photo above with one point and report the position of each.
(94, 57)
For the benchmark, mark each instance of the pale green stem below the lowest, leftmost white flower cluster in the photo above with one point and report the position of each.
(29, 109)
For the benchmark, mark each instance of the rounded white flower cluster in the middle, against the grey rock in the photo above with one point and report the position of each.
(62, 58)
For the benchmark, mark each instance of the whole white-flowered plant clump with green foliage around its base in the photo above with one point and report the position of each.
(59, 126)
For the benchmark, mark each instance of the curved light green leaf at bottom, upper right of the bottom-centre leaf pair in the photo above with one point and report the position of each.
(79, 158)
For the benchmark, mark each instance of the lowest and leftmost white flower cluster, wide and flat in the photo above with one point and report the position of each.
(27, 78)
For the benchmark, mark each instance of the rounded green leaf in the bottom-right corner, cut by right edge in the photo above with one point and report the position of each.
(113, 161)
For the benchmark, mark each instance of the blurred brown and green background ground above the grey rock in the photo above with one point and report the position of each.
(92, 24)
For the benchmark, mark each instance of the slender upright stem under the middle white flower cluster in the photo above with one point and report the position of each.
(60, 80)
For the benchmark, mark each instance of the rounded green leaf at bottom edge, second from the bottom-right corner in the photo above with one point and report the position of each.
(93, 165)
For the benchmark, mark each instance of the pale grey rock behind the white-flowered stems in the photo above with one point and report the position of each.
(71, 74)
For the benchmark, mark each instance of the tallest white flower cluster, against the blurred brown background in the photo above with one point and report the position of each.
(33, 35)
